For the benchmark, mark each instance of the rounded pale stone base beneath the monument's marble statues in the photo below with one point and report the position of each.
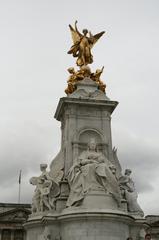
(78, 224)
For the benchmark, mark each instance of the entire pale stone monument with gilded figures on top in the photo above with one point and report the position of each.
(84, 195)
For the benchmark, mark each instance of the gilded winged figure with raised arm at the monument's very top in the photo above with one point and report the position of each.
(82, 45)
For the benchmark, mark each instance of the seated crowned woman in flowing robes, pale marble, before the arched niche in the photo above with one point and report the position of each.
(91, 173)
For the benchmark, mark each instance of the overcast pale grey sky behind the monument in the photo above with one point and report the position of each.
(34, 40)
